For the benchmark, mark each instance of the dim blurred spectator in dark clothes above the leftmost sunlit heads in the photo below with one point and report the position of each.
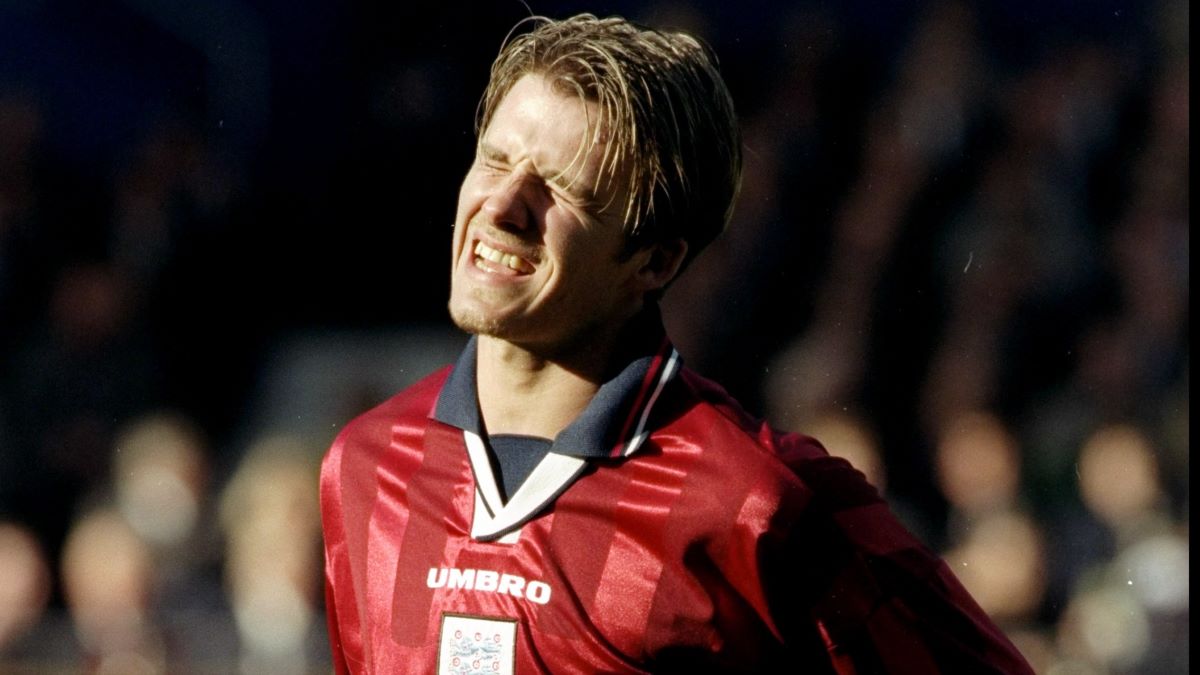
(86, 372)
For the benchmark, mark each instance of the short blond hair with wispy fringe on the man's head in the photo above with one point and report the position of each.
(664, 111)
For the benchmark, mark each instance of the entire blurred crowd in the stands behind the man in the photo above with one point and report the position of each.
(961, 260)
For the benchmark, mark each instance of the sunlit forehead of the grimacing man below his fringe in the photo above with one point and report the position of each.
(557, 130)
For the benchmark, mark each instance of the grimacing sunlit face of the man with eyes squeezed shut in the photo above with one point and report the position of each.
(537, 256)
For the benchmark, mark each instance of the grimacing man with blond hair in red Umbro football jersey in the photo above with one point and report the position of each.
(568, 498)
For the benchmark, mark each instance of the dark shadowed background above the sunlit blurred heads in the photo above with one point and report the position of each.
(188, 192)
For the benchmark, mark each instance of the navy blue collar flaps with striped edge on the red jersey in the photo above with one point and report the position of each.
(614, 425)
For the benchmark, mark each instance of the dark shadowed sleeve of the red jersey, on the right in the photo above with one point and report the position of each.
(880, 600)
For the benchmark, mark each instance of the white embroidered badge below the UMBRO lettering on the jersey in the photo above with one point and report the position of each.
(472, 646)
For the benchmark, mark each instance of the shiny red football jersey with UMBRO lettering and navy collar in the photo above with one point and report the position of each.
(667, 531)
